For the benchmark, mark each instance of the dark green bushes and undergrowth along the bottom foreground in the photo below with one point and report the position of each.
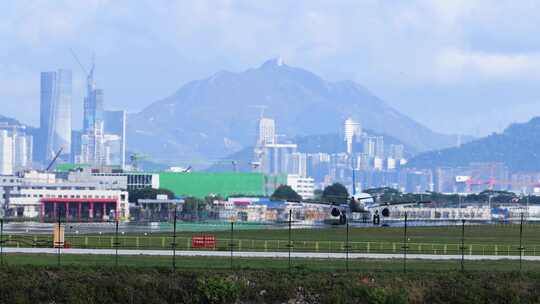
(30, 284)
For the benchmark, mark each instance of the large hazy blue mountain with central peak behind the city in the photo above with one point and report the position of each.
(216, 116)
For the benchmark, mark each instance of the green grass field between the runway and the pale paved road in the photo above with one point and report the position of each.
(479, 239)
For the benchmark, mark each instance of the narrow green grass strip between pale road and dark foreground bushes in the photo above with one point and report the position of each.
(217, 263)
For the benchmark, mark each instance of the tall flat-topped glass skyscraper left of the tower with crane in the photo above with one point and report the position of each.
(55, 116)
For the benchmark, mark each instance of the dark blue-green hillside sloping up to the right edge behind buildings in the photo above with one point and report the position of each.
(518, 146)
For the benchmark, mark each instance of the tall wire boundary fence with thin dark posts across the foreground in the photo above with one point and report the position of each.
(342, 247)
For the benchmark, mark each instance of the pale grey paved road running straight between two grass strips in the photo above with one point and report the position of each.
(248, 254)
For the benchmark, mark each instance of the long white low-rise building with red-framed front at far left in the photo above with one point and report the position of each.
(88, 198)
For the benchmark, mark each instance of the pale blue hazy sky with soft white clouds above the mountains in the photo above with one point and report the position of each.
(454, 65)
